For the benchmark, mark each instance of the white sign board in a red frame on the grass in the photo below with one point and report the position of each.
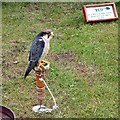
(100, 12)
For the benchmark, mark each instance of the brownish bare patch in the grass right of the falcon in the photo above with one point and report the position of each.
(70, 61)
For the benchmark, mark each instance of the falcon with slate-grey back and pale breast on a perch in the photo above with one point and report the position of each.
(39, 49)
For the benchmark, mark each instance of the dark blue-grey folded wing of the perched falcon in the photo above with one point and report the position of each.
(36, 50)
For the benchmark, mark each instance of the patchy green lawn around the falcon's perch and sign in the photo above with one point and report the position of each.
(84, 61)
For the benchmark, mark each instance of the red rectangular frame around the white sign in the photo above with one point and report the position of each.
(98, 5)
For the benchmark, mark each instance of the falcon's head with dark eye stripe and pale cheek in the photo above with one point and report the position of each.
(47, 34)
